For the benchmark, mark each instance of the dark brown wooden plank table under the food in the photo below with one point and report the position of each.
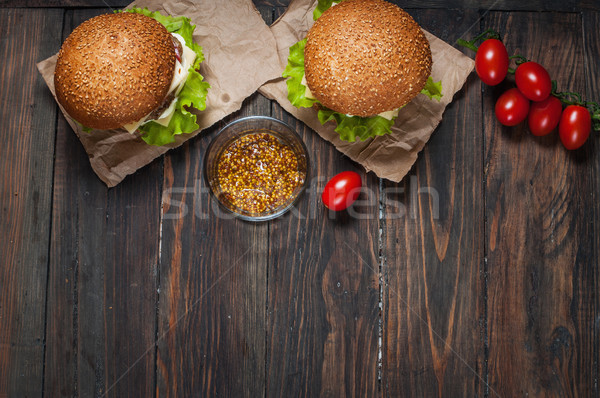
(477, 275)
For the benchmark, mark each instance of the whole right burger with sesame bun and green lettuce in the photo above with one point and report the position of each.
(361, 62)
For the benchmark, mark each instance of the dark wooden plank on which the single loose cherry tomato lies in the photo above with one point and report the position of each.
(323, 304)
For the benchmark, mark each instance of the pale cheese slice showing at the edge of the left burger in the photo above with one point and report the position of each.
(179, 77)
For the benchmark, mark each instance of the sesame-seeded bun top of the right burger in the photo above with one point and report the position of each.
(364, 57)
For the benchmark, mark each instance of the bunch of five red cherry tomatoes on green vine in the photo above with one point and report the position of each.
(536, 95)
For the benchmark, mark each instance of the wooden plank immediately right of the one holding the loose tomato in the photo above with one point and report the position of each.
(433, 294)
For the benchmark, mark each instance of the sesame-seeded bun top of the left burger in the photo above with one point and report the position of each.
(114, 69)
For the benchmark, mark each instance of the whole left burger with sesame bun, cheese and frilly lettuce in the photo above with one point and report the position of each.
(135, 70)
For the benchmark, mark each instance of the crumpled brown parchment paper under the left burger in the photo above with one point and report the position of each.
(240, 56)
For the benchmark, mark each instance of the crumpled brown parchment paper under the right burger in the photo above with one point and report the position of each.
(389, 156)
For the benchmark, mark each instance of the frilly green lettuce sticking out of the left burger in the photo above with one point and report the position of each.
(193, 93)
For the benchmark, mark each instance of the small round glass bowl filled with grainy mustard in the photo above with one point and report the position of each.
(256, 168)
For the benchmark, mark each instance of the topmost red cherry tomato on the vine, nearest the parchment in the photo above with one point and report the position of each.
(491, 62)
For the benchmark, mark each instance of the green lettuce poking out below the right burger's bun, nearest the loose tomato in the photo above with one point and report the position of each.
(352, 127)
